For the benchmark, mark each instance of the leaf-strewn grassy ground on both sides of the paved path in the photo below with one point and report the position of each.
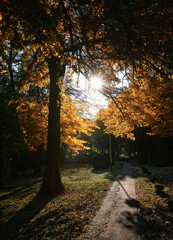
(25, 215)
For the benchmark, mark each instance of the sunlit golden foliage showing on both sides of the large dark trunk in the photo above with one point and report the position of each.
(33, 116)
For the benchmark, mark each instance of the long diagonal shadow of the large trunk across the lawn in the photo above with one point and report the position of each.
(10, 229)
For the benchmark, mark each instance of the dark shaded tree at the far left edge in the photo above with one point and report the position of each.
(11, 140)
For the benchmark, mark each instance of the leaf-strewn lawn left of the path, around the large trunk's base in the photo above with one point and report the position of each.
(26, 215)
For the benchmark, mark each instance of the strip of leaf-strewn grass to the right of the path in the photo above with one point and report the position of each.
(156, 217)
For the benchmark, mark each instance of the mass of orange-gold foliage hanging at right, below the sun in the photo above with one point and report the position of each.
(147, 103)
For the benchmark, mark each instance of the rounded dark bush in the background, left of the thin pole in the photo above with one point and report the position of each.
(100, 161)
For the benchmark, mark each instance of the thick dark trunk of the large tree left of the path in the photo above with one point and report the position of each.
(52, 179)
